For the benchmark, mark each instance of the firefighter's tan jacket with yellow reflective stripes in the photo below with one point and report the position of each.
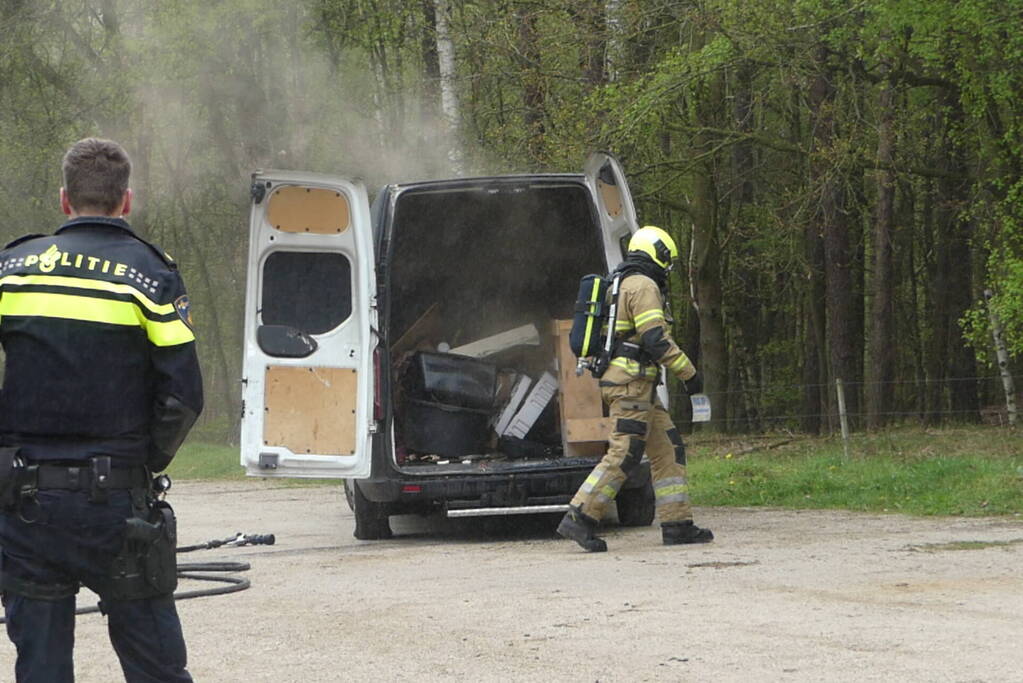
(642, 322)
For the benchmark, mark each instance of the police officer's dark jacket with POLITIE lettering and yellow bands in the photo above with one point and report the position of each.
(101, 354)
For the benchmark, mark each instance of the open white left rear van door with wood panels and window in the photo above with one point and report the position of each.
(308, 380)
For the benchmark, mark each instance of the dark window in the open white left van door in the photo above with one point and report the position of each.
(312, 292)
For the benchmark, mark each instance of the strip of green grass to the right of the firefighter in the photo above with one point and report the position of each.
(966, 471)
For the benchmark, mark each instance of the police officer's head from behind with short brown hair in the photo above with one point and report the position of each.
(96, 174)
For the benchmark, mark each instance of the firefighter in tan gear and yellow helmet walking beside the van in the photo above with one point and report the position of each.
(640, 423)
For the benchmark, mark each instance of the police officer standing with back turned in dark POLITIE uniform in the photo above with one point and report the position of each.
(102, 385)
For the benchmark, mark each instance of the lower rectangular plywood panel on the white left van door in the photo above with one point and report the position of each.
(312, 411)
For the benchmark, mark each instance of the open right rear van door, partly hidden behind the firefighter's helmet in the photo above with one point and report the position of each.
(614, 203)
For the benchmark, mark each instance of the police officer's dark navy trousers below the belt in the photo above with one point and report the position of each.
(72, 541)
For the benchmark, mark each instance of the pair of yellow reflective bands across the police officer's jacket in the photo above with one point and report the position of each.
(93, 301)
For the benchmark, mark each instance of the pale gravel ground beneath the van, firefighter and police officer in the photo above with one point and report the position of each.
(780, 596)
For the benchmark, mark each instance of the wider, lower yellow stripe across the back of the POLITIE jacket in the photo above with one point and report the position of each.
(90, 309)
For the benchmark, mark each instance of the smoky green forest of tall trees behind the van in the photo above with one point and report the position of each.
(846, 179)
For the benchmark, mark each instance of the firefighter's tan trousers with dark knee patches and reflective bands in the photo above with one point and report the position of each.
(640, 424)
